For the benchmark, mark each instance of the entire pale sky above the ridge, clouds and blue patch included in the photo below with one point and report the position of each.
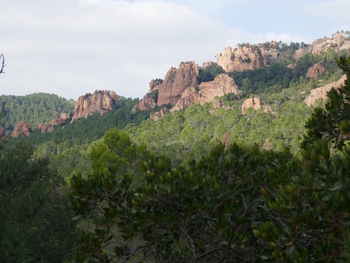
(73, 47)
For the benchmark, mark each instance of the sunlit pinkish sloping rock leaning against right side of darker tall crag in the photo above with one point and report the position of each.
(207, 92)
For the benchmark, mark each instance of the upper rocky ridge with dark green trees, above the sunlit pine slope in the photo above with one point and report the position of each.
(261, 68)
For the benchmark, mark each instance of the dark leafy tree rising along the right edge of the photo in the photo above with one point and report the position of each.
(310, 213)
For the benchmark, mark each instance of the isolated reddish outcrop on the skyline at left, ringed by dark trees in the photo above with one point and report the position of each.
(99, 101)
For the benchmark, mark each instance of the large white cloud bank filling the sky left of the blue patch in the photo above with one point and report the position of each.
(70, 47)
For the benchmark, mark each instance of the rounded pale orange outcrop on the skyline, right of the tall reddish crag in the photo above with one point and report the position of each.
(246, 57)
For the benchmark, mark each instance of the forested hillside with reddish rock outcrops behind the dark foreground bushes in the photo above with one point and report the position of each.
(279, 76)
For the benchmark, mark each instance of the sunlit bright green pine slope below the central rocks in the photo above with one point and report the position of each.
(191, 133)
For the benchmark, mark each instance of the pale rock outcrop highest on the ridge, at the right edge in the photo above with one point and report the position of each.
(321, 45)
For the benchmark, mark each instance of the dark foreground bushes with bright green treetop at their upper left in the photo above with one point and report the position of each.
(202, 211)
